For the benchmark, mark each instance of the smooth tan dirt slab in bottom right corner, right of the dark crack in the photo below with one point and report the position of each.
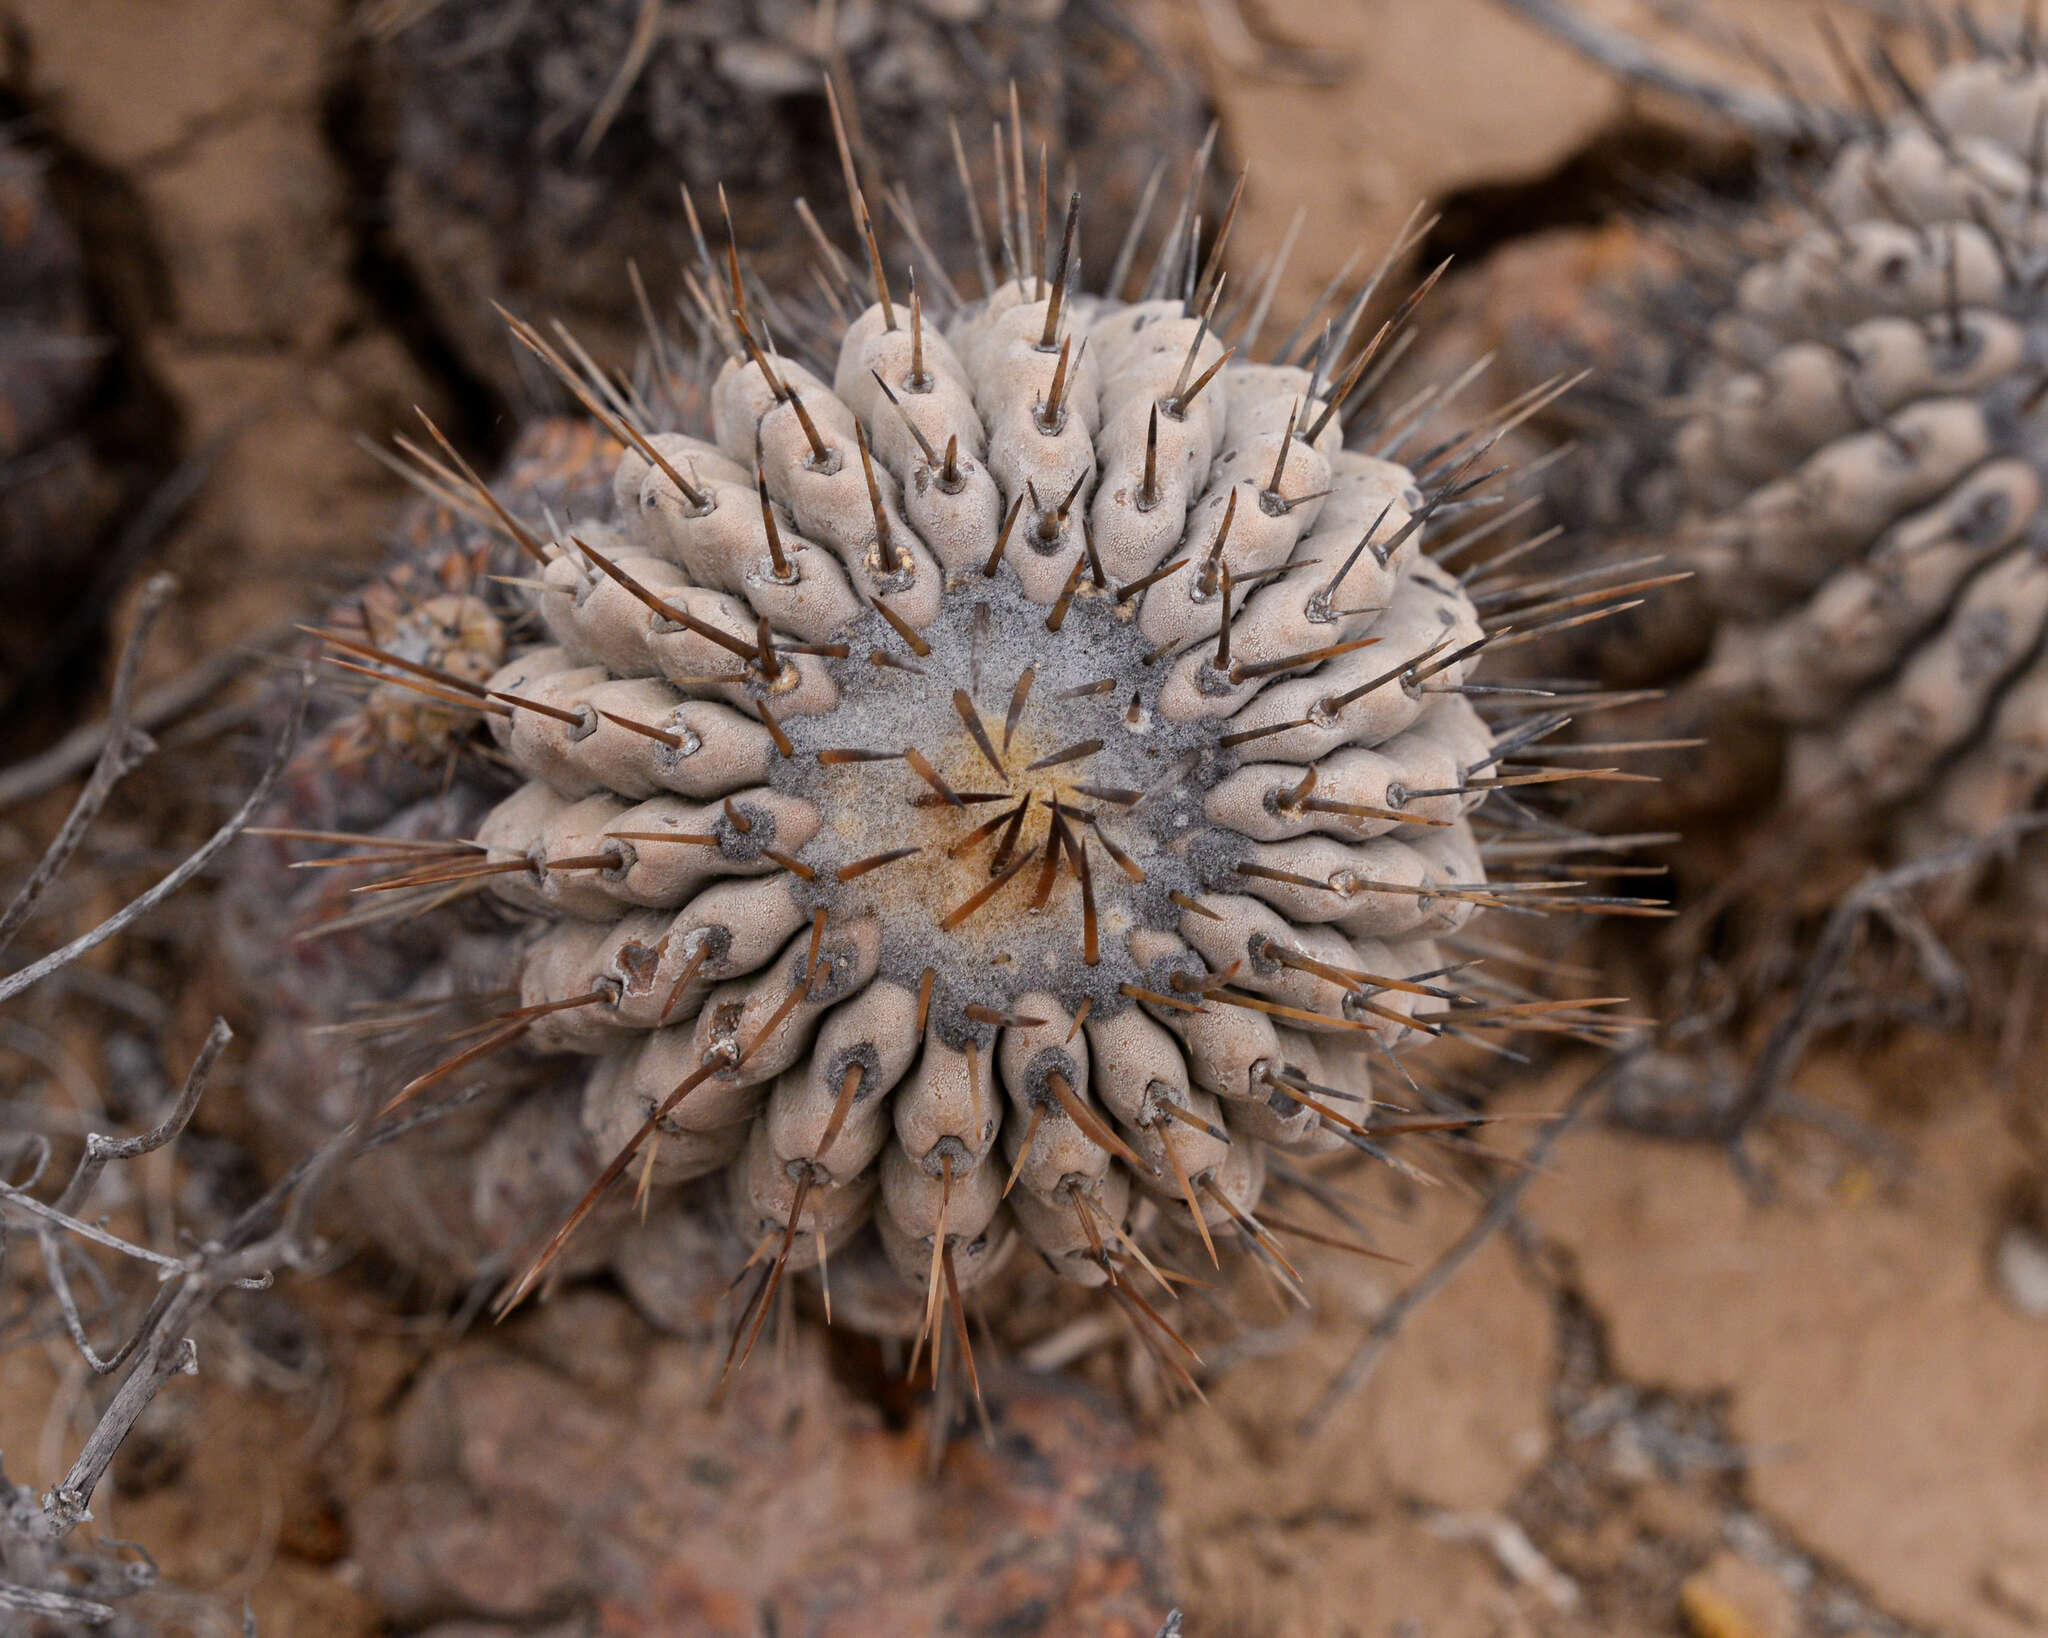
(1887, 1395)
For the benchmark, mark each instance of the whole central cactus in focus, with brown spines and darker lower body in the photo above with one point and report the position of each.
(1005, 787)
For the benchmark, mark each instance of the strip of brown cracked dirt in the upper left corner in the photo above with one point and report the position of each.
(257, 325)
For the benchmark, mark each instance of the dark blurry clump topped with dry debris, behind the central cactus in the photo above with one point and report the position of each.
(538, 144)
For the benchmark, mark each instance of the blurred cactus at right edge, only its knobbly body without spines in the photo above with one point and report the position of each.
(1865, 474)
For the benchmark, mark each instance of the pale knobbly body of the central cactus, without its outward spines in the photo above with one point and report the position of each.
(953, 1033)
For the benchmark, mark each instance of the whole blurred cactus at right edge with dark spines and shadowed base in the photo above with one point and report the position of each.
(1830, 406)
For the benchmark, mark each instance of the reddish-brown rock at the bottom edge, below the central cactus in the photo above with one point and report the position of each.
(790, 1508)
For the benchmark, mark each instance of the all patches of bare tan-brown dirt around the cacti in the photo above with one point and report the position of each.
(1662, 1406)
